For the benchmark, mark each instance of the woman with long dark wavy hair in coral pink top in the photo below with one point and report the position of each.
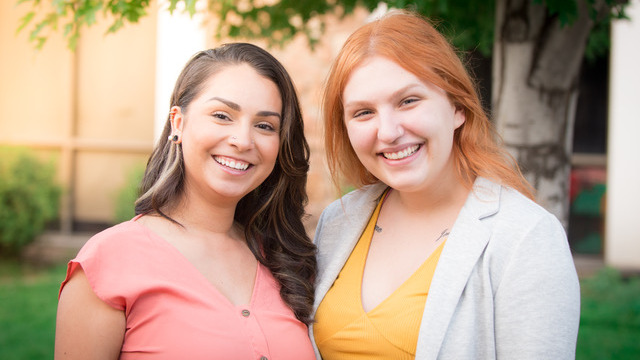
(216, 264)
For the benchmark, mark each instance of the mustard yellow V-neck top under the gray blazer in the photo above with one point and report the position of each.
(343, 330)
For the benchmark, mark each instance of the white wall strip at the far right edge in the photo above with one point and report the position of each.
(622, 245)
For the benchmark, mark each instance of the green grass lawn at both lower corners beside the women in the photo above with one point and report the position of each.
(609, 322)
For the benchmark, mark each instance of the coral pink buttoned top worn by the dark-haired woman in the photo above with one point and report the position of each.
(174, 312)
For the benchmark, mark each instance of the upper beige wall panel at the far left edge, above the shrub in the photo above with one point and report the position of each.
(35, 91)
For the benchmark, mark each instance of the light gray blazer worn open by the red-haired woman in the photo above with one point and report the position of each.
(505, 286)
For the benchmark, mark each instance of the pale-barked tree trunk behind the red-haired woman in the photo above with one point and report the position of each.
(536, 66)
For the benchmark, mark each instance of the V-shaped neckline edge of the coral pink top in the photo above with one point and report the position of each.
(199, 275)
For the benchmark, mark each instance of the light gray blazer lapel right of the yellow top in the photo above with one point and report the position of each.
(463, 248)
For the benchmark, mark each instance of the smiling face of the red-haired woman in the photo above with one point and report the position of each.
(401, 128)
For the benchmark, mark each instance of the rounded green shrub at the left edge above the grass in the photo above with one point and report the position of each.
(29, 198)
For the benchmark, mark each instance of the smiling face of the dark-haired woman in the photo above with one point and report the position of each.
(229, 134)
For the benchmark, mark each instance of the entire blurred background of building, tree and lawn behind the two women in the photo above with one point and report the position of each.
(82, 110)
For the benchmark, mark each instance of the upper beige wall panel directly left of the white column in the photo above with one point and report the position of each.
(116, 82)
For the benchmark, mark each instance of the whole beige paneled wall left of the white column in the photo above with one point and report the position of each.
(92, 109)
